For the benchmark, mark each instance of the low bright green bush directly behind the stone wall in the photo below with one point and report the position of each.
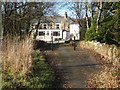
(103, 35)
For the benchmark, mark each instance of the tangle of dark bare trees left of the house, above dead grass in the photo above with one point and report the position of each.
(17, 15)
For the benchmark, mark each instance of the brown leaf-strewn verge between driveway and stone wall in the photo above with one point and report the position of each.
(107, 78)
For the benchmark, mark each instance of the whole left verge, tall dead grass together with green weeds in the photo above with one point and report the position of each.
(23, 67)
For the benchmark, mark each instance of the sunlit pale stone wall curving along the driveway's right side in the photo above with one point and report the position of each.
(110, 52)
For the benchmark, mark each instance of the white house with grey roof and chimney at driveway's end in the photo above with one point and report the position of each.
(55, 28)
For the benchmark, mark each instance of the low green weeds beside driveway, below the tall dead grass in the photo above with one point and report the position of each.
(41, 75)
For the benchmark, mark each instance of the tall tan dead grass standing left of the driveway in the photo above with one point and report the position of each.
(17, 55)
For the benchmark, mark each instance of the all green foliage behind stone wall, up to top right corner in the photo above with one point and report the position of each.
(108, 29)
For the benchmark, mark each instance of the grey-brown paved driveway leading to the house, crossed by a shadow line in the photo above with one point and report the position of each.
(76, 66)
